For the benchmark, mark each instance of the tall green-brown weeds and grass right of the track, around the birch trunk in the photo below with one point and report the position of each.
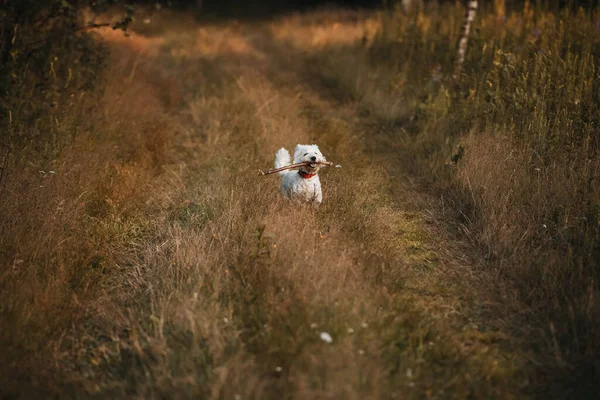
(512, 146)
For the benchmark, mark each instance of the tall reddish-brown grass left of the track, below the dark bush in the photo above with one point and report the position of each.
(71, 211)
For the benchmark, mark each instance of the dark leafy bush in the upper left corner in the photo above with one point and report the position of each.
(48, 53)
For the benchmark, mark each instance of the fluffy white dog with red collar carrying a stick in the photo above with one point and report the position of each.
(303, 184)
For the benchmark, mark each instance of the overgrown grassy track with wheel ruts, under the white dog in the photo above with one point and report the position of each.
(236, 294)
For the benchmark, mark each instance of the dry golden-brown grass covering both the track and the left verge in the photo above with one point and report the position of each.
(156, 263)
